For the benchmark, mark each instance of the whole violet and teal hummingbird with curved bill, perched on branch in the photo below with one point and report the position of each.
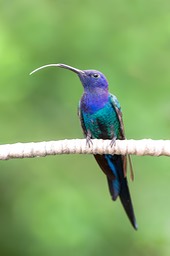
(101, 118)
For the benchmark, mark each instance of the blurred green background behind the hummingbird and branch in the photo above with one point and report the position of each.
(60, 205)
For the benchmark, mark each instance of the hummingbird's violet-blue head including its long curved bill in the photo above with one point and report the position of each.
(91, 79)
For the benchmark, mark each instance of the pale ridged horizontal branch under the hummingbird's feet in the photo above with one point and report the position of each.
(80, 146)
